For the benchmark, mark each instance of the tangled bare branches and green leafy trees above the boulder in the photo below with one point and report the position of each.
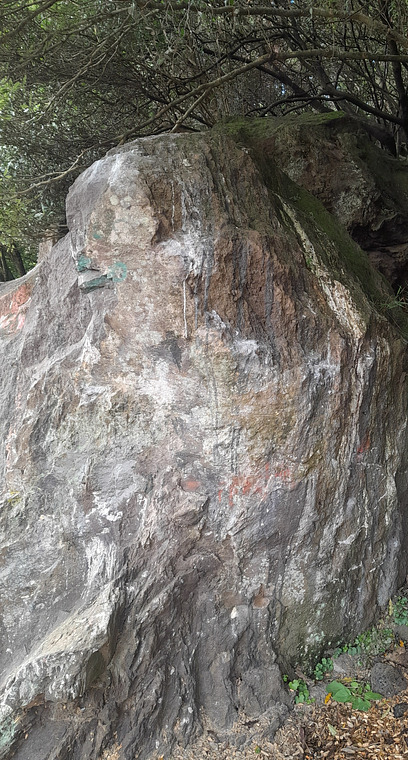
(78, 77)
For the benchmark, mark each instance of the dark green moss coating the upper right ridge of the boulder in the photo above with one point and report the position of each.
(335, 249)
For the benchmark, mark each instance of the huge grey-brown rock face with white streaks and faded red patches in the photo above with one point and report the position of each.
(203, 462)
